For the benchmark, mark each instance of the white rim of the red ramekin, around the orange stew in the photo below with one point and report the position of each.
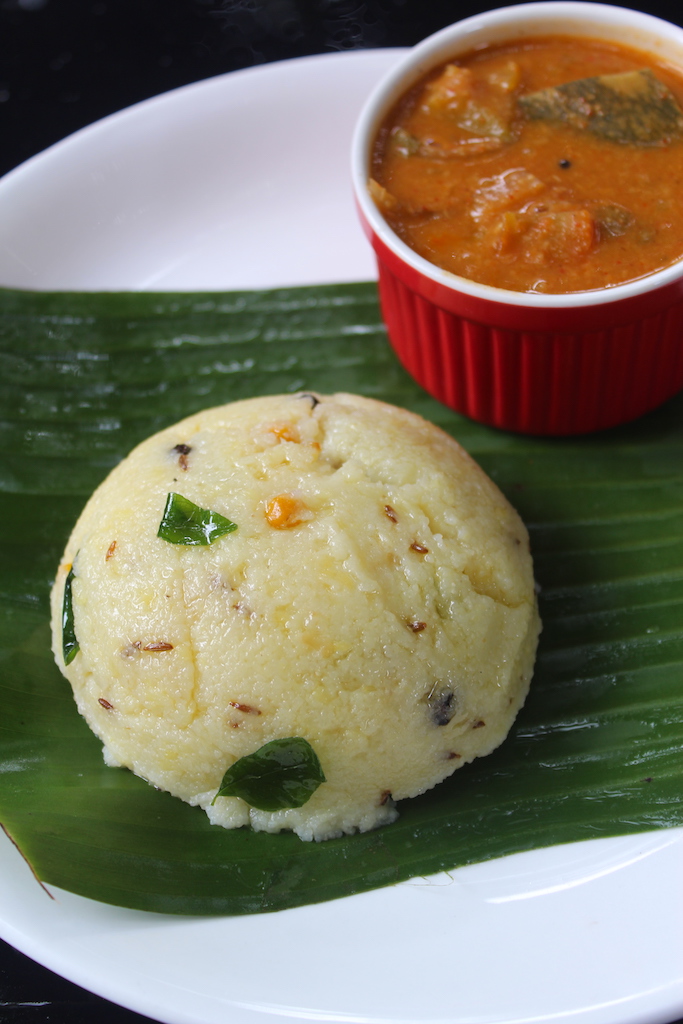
(582, 18)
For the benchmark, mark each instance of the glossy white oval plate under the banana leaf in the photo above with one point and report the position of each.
(243, 182)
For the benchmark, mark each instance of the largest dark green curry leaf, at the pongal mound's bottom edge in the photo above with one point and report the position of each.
(281, 775)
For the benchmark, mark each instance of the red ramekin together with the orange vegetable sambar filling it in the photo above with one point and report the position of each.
(520, 178)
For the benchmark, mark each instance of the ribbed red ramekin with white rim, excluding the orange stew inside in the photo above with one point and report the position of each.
(531, 363)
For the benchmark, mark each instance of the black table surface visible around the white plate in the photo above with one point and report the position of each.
(65, 64)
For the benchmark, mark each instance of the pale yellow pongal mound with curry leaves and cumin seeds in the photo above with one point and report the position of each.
(296, 611)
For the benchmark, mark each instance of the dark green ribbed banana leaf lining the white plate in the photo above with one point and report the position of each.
(597, 750)
